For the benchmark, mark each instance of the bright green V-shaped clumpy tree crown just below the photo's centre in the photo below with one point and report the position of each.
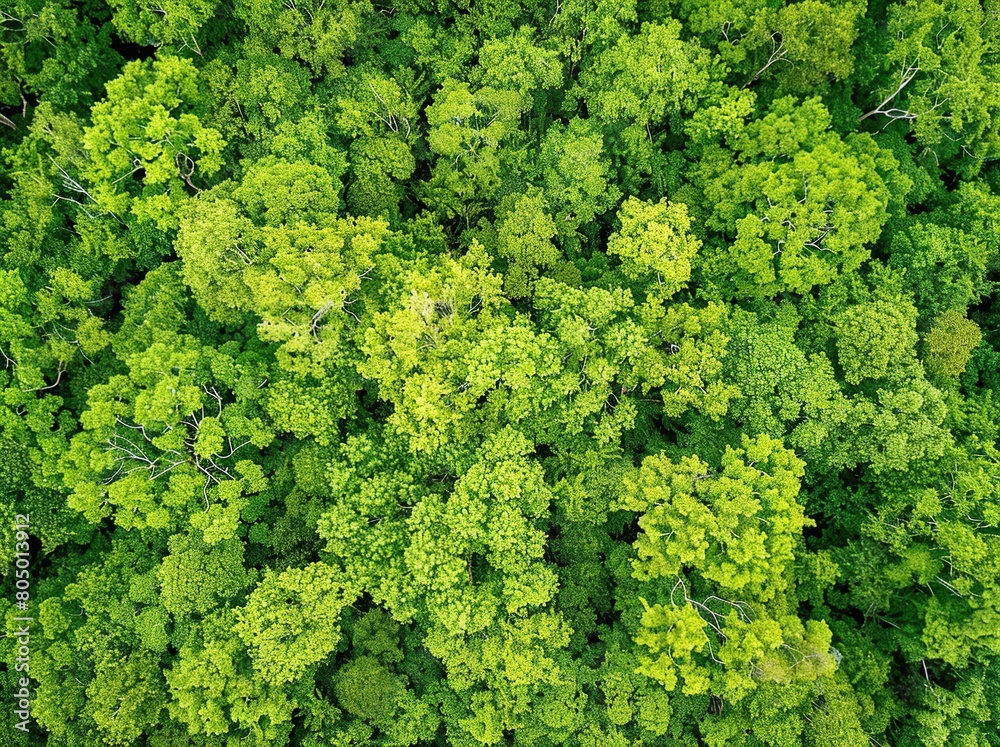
(462, 559)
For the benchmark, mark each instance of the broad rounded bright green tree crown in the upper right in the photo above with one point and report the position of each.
(800, 204)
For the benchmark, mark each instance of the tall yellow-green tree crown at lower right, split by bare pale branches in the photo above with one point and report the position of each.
(731, 538)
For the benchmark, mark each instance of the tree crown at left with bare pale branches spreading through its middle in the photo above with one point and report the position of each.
(161, 440)
